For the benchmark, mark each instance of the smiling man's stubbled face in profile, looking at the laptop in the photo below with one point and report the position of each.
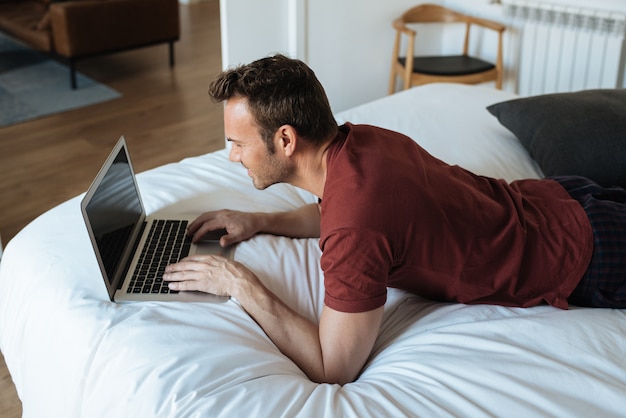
(249, 149)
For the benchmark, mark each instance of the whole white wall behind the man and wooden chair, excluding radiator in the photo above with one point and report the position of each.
(347, 43)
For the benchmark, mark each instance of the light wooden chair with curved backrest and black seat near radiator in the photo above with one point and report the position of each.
(431, 69)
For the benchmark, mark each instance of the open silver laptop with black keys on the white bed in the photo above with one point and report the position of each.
(123, 237)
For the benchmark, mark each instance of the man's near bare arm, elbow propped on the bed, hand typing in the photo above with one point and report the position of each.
(332, 352)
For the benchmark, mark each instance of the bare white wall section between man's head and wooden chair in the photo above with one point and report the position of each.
(350, 45)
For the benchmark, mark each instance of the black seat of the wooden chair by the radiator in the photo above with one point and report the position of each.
(448, 65)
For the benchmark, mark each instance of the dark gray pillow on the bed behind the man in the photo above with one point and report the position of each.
(581, 133)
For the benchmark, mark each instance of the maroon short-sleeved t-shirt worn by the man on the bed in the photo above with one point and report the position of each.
(395, 216)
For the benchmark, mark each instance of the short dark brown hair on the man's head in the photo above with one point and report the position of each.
(279, 91)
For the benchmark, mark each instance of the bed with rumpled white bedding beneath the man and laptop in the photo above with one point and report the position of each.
(73, 353)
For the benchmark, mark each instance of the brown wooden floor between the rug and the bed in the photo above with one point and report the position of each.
(165, 115)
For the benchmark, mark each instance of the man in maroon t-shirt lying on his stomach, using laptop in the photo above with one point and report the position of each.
(390, 215)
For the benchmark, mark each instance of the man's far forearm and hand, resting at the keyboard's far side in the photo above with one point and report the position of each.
(303, 222)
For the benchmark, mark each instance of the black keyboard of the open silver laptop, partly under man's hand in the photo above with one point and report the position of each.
(167, 243)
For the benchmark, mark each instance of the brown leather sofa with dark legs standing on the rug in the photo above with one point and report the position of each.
(75, 29)
